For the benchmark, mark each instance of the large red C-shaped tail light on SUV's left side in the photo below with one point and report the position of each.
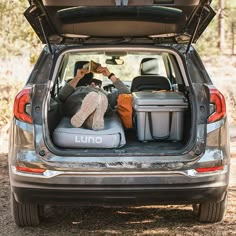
(22, 99)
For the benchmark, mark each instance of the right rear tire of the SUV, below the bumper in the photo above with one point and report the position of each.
(212, 211)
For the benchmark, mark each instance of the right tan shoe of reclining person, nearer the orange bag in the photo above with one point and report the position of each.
(96, 120)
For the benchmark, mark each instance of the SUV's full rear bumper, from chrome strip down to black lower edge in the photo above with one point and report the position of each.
(102, 189)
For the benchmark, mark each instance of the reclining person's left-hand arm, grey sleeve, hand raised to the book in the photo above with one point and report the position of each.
(69, 87)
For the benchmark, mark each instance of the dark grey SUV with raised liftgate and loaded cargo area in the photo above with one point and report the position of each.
(177, 150)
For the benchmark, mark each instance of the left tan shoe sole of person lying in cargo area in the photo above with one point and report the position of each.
(88, 106)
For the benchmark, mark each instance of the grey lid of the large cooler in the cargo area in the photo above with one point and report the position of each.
(158, 98)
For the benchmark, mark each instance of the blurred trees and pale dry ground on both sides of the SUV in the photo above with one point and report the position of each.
(20, 47)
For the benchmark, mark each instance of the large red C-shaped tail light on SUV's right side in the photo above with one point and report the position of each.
(218, 102)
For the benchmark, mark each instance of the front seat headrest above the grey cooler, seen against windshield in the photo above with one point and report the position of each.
(149, 66)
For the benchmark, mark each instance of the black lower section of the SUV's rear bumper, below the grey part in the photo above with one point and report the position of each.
(103, 196)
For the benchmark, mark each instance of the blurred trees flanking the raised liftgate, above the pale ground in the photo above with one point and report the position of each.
(17, 38)
